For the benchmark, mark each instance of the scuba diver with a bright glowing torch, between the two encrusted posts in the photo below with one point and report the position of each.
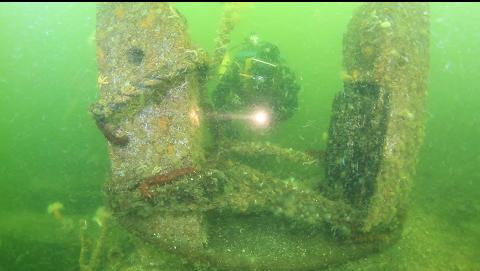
(256, 85)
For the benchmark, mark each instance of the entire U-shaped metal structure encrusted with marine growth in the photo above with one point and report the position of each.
(233, 206)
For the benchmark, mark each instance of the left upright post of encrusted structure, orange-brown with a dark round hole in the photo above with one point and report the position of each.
(151, 96)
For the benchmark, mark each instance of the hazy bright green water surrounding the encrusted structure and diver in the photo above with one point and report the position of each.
(51, 150)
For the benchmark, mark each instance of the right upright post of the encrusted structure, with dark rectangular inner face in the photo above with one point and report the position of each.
(377, 121)
